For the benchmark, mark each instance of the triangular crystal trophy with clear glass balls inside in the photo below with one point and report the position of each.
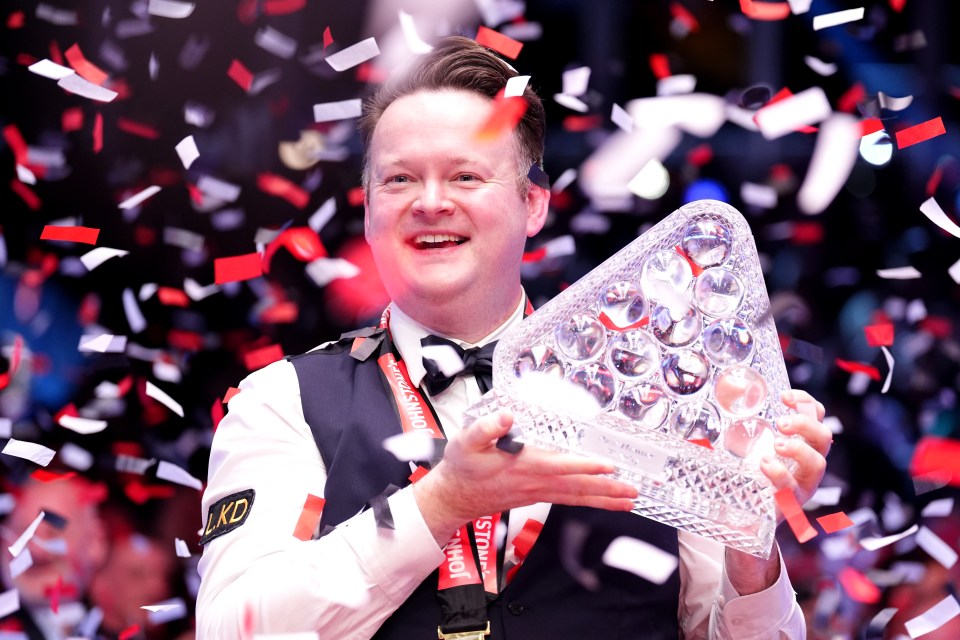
(665, 360)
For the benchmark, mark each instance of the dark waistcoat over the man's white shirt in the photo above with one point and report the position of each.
(562, 590)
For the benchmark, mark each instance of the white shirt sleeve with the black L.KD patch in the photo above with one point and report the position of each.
(343, 585)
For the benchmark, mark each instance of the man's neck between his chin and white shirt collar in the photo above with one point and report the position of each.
(467, 322)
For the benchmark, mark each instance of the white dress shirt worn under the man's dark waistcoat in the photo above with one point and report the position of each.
(348, 582)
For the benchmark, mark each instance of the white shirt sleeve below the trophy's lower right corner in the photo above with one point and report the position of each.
(710, 607)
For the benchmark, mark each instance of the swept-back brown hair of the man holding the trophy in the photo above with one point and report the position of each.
(458, 63)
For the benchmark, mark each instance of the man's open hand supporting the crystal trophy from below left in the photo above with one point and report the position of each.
(476, 479)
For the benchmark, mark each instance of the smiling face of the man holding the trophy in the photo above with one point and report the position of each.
(444, 213)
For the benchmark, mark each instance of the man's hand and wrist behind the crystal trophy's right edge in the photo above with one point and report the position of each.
(749, 574)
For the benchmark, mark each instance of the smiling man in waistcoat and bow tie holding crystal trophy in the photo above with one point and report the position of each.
(447, 216)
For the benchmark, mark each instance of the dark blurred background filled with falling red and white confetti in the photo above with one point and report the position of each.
(97, 340)
